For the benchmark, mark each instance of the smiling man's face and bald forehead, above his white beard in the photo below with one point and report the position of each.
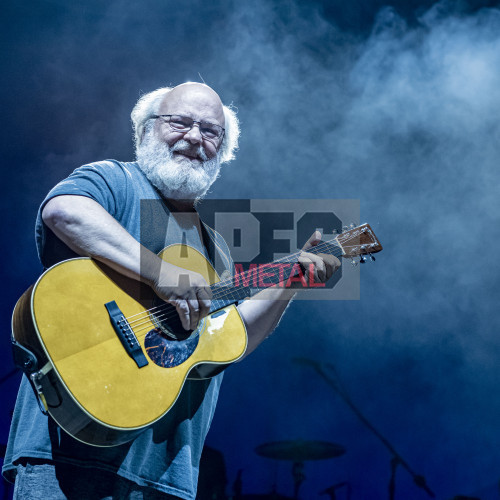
(199, 103)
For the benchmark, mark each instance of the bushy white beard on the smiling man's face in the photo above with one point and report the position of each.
(176, 180)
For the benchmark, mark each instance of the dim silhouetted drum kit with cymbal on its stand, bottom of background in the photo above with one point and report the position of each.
(297, 452)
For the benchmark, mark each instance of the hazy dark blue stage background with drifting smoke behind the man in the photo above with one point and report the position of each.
(397, 106)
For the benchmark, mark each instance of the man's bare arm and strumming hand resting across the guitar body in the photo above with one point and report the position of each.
(90, 231)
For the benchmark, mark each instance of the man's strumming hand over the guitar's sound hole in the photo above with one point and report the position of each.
(186, 290)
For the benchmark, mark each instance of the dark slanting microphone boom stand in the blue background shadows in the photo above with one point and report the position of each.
(397, 459)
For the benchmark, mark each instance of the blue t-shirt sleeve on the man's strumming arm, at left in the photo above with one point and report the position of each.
(104, 182)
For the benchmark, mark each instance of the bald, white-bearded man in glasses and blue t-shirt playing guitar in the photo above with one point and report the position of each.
(182, 136)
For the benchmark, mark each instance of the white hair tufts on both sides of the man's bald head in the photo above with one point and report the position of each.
(149, 104)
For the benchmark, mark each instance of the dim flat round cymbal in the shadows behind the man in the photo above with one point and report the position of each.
(299, 450)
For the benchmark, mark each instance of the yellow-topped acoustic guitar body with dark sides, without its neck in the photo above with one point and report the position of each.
(88, 382)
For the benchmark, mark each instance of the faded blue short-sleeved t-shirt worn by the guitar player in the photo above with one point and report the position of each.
(165, 456)
